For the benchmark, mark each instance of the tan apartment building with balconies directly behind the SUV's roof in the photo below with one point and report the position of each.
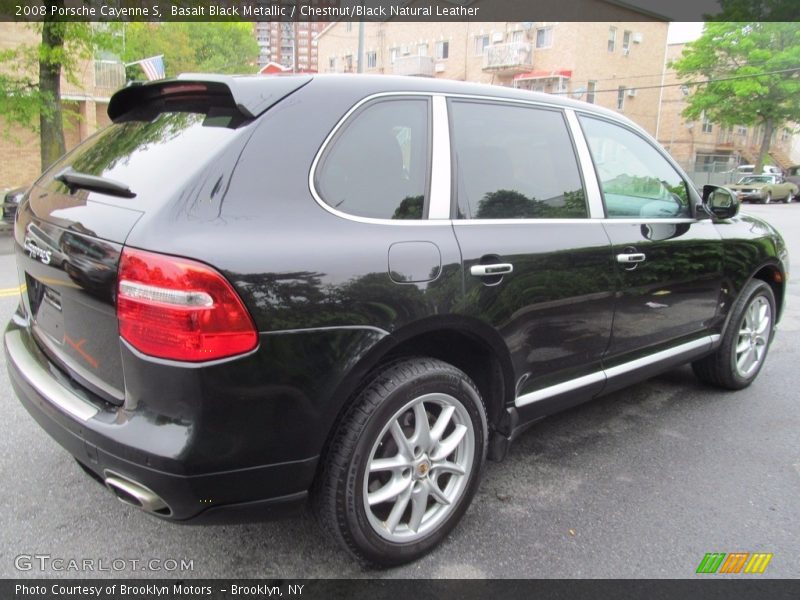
(601, 62)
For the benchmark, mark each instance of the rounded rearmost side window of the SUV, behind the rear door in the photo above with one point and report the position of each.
(377, 166)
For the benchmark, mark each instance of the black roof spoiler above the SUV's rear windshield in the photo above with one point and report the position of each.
(251, 95)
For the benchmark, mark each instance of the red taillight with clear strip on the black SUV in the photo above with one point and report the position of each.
(180, 309)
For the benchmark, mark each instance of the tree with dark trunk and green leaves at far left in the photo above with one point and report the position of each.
(30, 78)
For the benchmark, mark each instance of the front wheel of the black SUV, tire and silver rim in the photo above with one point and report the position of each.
(739, 358)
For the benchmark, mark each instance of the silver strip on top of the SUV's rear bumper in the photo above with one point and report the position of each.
(42, 381)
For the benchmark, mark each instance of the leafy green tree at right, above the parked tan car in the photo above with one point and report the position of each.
(732, 57)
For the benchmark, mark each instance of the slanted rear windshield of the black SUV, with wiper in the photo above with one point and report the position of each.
(152, 151)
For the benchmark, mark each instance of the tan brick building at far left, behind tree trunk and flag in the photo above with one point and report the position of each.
(84, 106)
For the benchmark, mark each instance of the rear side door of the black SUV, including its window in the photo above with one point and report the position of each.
(537, 268)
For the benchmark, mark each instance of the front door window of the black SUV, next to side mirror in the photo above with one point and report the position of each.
(636, 180)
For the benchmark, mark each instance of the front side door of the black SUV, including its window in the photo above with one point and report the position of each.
(668, 261)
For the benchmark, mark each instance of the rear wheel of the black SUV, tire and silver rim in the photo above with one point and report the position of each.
(385, 507)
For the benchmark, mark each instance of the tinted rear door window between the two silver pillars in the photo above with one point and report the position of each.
(514, 162)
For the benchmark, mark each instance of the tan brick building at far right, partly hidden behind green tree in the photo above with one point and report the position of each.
(704, 146)
